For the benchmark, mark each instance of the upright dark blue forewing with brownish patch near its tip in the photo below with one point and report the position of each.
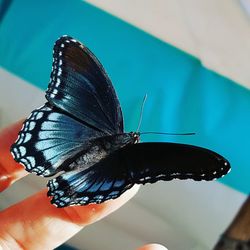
(80, 87)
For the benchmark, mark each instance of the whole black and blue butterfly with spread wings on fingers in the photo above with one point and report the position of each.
(79, 134)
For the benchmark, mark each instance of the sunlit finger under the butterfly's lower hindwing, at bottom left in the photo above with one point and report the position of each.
(36, 224)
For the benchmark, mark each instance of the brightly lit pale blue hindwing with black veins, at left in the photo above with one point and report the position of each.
(49, 139)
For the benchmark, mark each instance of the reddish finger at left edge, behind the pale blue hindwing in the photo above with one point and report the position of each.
(10, 171)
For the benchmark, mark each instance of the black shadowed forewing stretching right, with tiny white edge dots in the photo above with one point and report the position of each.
(151, 162)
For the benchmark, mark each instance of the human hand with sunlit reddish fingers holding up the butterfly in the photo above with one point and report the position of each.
(36, 224)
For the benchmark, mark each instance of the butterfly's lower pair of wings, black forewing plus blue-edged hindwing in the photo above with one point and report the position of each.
(138, 163)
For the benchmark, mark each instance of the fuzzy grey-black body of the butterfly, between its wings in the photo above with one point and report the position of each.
(101, 147)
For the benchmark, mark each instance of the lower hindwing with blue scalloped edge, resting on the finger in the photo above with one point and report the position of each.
(99, 183)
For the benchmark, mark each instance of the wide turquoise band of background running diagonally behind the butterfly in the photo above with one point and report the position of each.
(183, 96)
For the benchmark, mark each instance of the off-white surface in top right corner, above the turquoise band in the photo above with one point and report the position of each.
(217, 32)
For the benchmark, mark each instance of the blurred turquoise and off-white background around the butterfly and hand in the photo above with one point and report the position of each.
(190, 57)
